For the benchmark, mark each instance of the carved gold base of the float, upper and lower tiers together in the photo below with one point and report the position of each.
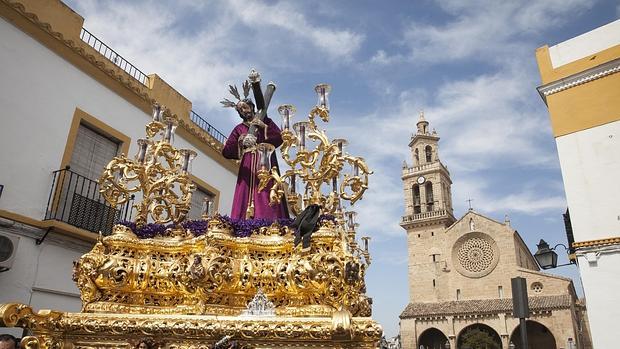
(192, 292)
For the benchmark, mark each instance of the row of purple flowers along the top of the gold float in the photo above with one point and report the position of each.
(239, 227)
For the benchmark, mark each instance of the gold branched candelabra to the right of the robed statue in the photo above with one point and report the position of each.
(317, 162)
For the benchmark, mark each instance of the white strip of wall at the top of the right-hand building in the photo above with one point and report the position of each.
(586, 44)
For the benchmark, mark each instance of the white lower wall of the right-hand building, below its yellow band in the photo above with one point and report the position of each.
(590, 162)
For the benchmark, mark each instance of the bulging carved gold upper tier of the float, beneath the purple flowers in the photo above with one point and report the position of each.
(219, 274)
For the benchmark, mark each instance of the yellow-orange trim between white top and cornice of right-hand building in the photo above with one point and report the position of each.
(549, 74)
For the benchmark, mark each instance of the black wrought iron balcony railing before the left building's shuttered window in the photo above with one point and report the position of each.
(76, 200)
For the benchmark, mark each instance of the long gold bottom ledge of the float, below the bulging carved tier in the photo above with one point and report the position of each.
(86, 330)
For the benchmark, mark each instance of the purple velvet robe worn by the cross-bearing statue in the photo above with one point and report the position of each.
(232, 150)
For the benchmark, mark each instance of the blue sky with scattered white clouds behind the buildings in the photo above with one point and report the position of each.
(469, 65)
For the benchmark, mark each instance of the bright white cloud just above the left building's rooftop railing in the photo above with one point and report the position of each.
(199, 64)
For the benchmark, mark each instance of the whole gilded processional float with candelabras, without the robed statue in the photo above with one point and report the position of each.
(163, 281)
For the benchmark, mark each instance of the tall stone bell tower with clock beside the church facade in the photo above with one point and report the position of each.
(428, 212)
